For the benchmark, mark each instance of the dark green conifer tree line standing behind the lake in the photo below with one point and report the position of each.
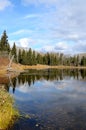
(31, 57)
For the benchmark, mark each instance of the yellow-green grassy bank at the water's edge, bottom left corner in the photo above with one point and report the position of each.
(7, 112)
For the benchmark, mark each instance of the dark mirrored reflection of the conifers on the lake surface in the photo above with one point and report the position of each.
(50, 74)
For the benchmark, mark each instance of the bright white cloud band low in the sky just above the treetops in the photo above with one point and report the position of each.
(59, 47)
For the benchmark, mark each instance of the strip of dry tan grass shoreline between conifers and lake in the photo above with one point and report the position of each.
(18, 68)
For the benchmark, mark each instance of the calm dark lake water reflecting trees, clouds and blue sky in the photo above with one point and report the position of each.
(50, 99)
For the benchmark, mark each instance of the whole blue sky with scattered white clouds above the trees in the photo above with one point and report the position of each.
(45, 25)
